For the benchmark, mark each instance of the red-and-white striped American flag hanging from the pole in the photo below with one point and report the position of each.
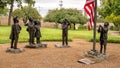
(89, 9)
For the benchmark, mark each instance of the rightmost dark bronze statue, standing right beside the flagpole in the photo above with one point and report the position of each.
(103, 30)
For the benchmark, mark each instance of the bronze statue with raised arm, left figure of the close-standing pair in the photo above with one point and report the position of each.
(31, 30)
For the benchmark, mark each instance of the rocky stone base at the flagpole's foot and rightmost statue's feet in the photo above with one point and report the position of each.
(95, 54)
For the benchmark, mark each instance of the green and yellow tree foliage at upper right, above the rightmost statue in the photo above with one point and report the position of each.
(110, 10)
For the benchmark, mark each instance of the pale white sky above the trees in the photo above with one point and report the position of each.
(43, 6)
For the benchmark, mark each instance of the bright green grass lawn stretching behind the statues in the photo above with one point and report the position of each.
(51, 34)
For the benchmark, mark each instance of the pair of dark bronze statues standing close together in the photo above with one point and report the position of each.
(33, 28)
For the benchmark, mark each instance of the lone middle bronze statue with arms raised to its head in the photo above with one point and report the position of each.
(65, 25)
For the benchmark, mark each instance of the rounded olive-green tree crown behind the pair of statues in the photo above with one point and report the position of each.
(27, 11)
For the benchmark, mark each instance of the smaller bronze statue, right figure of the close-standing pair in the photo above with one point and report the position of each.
(37, 31)
